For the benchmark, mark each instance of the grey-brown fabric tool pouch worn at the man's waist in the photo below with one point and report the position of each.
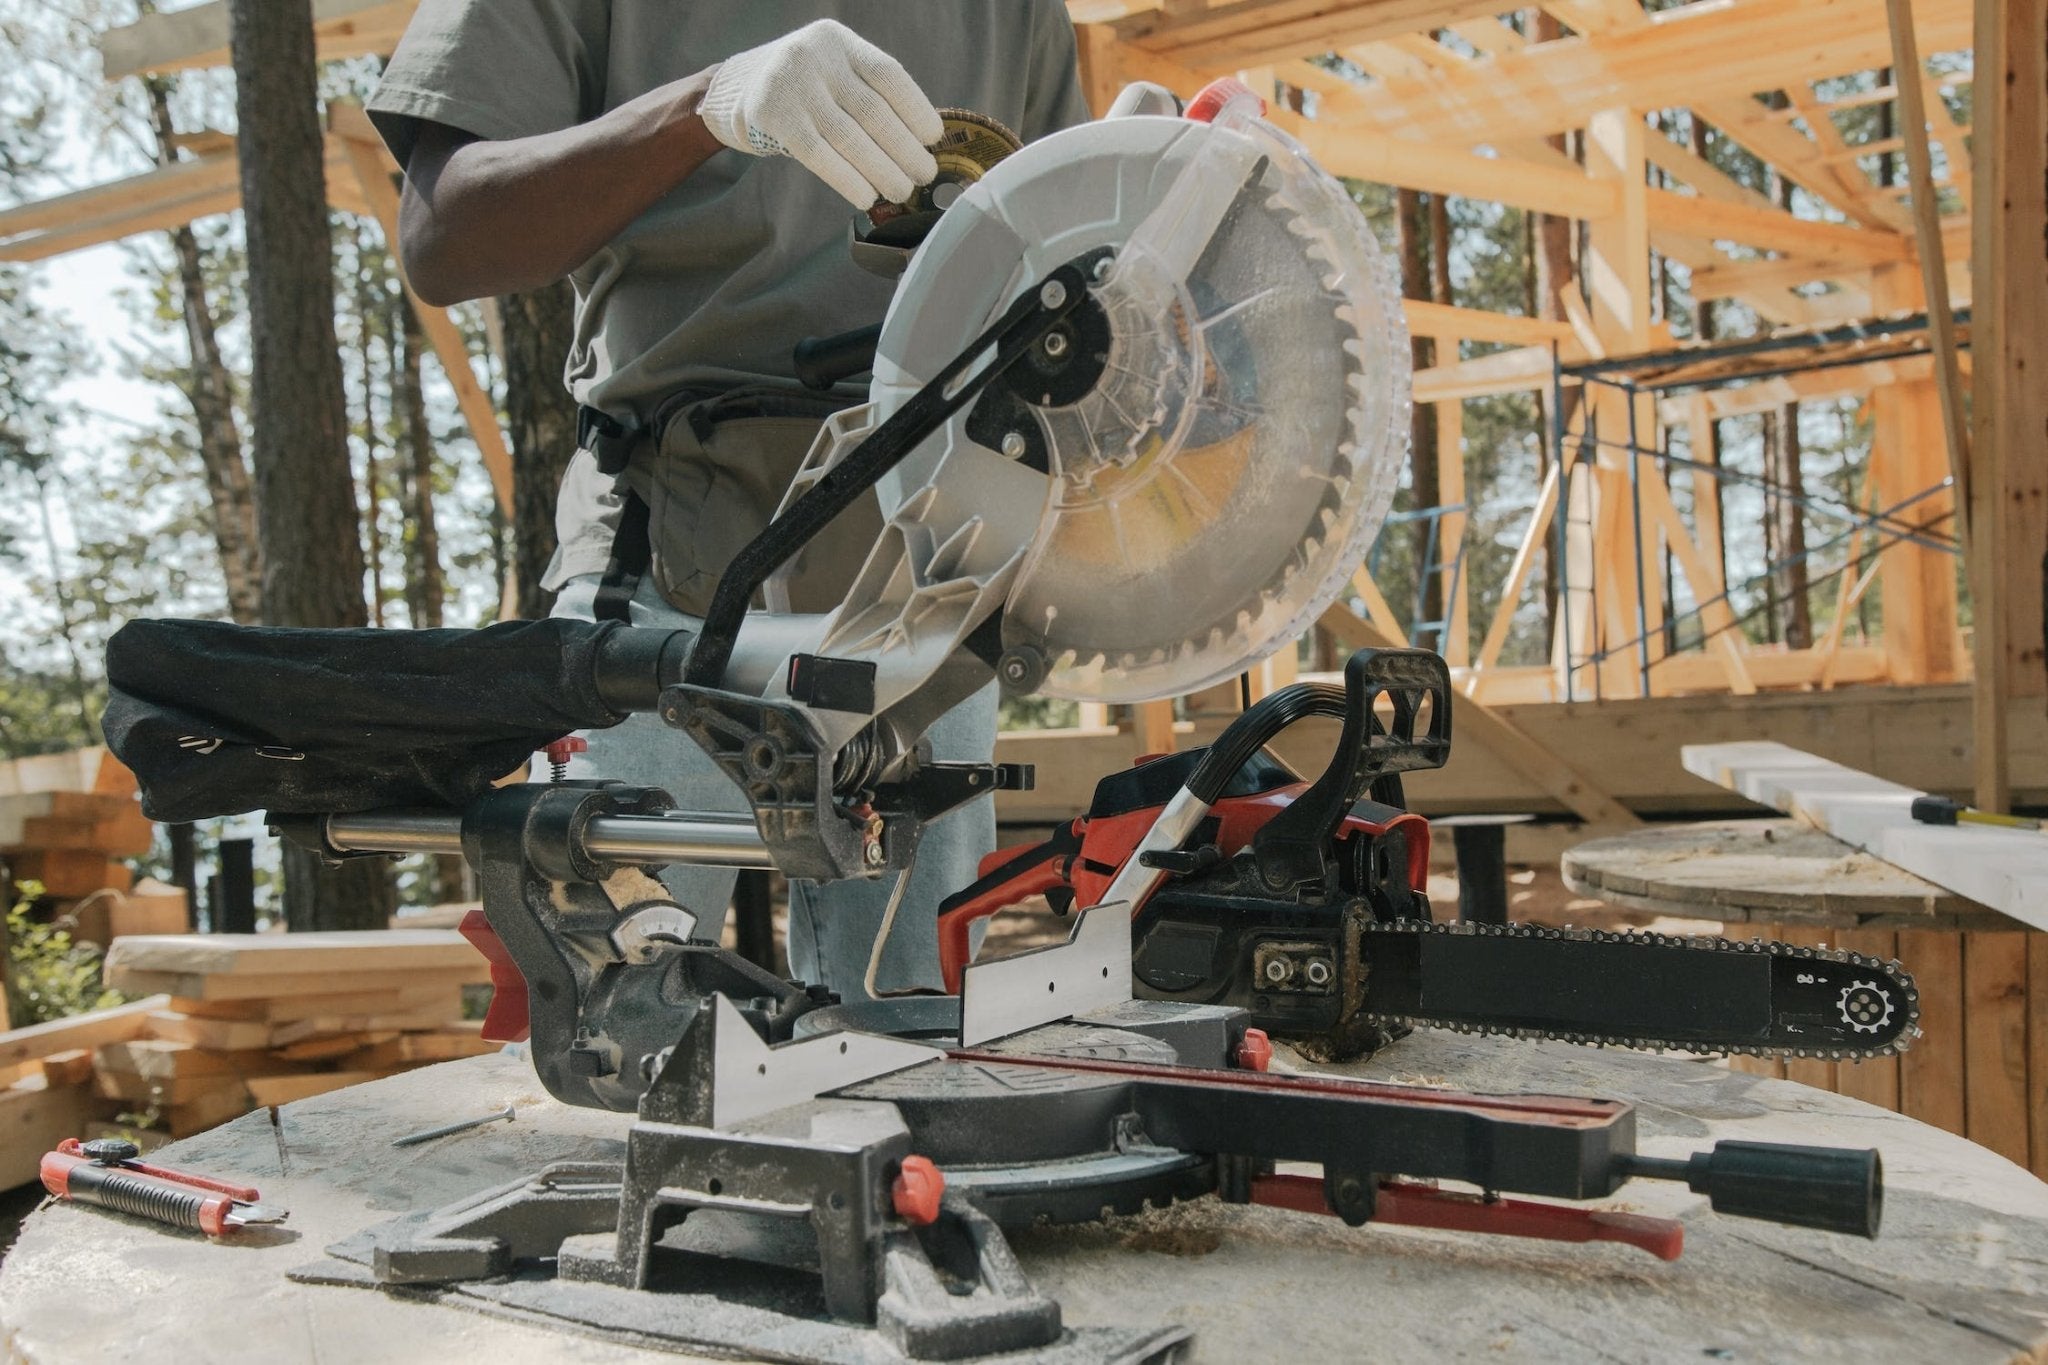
(714, 482)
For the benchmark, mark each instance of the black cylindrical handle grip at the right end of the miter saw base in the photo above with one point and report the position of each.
(1828, 1188)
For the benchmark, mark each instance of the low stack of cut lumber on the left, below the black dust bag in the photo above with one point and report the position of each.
(230, 1024)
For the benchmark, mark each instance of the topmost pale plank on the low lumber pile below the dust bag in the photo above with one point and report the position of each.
(345, 955)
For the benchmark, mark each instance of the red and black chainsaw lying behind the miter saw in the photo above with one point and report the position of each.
(1304, 904)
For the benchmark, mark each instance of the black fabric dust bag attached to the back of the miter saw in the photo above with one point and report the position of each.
(222, 719)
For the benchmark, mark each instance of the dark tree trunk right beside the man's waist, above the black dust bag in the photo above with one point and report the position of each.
(538, 333)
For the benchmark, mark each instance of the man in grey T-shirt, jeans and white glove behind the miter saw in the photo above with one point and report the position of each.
(693, 169)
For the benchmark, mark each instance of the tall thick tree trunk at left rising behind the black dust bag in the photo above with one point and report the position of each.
(306, 500)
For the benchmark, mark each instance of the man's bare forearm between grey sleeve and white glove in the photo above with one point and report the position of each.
(497, 218)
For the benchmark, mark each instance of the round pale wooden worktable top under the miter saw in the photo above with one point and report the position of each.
(1959, 1276)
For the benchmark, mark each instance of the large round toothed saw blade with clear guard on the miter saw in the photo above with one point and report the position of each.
(1224, 476)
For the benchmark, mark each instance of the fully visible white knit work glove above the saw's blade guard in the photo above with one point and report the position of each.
(837, 103)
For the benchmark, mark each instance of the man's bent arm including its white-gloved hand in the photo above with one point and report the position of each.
(490, 218)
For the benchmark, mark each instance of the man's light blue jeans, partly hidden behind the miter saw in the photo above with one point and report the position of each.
(833, 926)
